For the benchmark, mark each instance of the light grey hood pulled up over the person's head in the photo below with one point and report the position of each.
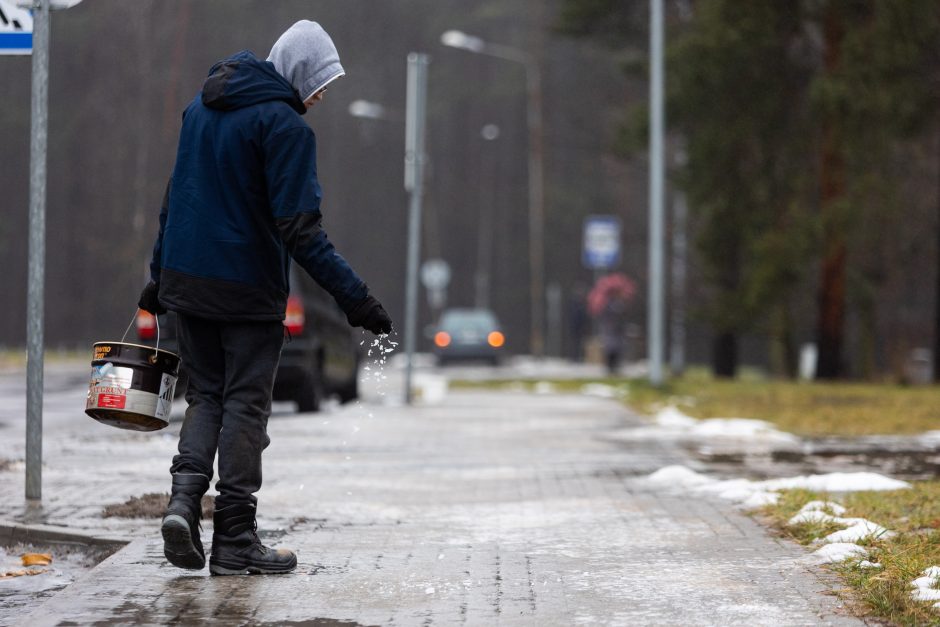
(306, 57)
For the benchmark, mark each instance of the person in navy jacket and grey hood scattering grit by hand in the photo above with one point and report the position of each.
(243, 200)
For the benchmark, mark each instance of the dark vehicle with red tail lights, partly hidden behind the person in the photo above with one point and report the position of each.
(320, 358)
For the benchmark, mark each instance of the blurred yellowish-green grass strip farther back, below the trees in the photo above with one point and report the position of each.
(808, 409)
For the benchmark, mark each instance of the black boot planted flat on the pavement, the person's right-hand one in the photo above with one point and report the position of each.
(236, 549)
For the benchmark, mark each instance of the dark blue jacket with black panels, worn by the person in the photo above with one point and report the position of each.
(243, 199)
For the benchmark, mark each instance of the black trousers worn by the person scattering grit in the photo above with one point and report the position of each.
(231, 368)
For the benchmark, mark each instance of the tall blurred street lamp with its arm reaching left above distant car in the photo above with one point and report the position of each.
(463, 41)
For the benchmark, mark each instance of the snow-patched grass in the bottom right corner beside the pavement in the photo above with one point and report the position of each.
(883, 593)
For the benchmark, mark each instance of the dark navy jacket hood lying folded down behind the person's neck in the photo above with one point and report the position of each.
(243, 80)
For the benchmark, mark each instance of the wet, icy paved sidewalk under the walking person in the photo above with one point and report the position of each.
(509, 509)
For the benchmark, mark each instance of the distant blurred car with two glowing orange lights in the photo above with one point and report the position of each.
(468, 334)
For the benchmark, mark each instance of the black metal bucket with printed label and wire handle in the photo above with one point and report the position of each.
(132, 385)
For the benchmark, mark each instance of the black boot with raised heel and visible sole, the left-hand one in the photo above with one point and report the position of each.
(181, 543)
